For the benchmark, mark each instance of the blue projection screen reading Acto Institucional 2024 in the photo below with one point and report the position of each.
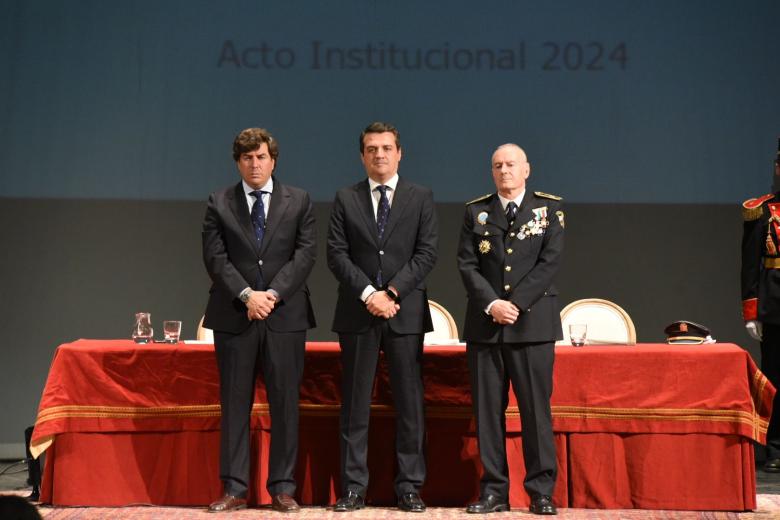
(614, 101)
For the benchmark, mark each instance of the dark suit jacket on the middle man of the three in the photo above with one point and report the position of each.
(406, 255)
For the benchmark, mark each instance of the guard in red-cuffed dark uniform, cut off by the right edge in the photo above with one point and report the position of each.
(761, 296)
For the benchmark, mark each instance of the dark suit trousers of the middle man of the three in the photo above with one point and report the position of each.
(359, 356)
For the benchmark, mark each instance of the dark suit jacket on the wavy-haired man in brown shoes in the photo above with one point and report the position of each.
(233, 259)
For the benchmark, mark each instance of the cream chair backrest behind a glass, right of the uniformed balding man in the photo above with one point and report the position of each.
(607, 322)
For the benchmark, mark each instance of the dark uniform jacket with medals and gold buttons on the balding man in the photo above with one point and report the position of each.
(496, 264)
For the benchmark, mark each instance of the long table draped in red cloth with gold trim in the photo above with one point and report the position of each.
(650, 426)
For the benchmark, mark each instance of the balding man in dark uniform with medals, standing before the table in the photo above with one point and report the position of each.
(510, 248)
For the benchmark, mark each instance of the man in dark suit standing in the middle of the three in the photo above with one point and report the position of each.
(381, 246)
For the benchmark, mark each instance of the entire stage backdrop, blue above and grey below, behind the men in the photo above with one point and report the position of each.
(653, 120)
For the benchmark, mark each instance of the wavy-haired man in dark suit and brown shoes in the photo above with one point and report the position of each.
(259, 247)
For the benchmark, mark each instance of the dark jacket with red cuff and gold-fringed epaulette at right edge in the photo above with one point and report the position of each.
(760, 259)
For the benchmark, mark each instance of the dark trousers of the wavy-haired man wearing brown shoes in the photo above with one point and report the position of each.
(279, 356)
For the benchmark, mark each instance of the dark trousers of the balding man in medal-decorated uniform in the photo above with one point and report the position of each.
(529, 366)
